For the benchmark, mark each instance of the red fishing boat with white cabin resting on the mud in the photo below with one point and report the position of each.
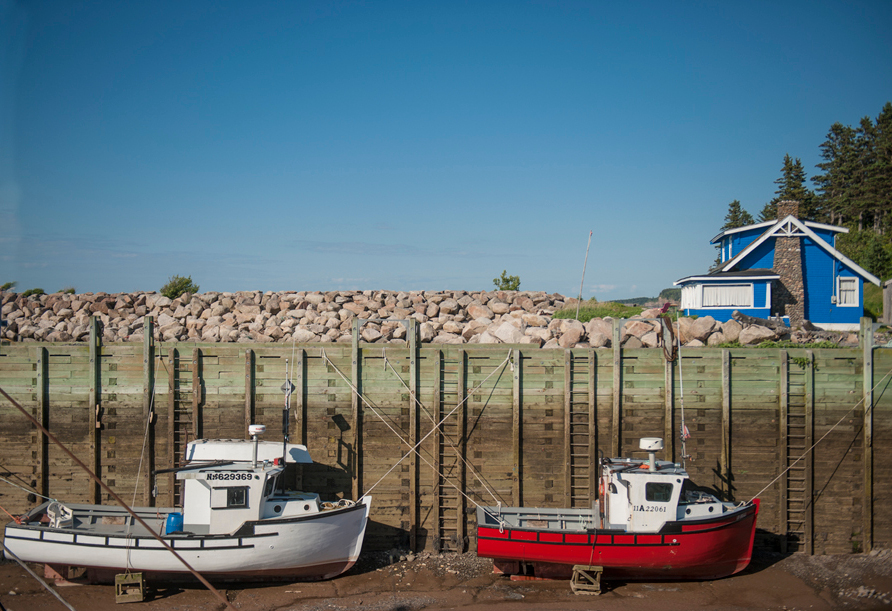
(649, 523)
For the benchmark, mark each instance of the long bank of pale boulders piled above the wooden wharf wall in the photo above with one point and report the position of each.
(444, 317)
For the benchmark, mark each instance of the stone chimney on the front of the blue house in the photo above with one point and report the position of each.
(788, 296)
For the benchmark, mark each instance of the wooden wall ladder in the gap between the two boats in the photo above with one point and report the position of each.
(450, 469)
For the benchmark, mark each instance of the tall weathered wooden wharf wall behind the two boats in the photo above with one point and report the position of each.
(520, 426)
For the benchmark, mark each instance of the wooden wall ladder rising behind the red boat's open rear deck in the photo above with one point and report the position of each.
(579, 422)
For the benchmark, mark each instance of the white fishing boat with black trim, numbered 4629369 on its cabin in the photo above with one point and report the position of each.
(235, 523)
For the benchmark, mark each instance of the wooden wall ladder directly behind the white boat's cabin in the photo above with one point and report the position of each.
(184, 396)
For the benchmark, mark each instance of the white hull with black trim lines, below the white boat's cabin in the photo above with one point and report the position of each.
(317, 546)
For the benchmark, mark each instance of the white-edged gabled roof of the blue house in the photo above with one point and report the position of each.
(786, 227)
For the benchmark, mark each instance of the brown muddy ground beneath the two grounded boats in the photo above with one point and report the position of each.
(384, 582)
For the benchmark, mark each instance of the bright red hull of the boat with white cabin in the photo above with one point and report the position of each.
(705, 549)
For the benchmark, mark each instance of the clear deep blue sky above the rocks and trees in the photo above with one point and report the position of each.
(409, 145)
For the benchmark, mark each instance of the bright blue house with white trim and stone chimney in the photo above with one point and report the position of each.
(788, 268)
